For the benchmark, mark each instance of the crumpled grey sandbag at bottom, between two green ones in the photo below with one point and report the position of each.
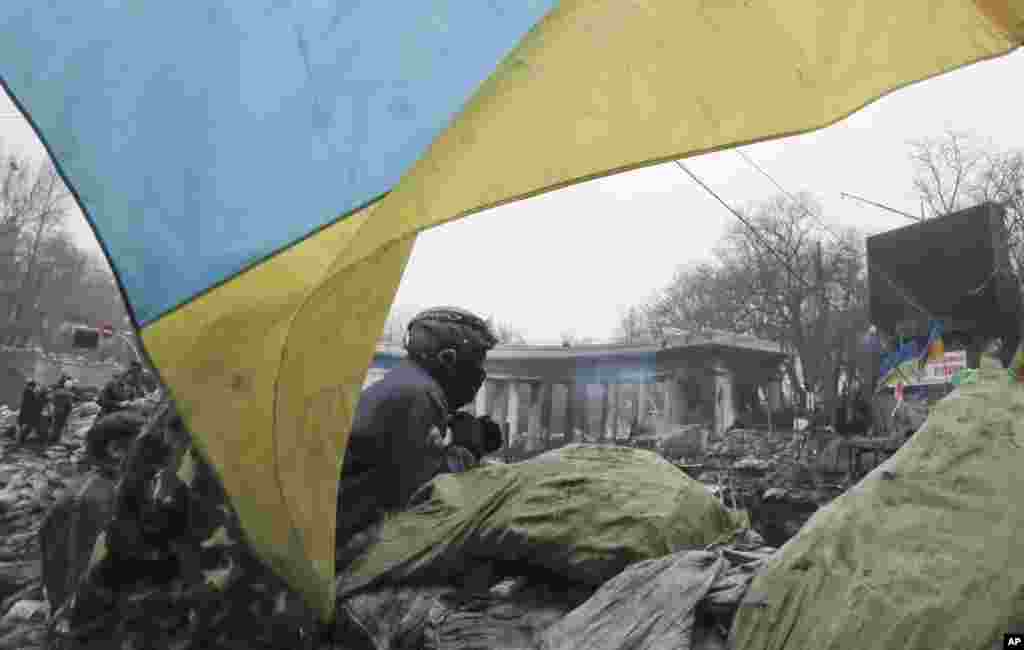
(650, 606)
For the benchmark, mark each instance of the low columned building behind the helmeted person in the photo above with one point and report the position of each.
(547, 395)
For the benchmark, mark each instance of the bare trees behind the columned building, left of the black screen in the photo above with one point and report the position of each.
(788, 283)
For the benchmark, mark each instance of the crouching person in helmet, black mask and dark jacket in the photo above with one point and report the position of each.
(401, 438)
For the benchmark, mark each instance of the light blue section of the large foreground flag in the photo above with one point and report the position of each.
(205, 136)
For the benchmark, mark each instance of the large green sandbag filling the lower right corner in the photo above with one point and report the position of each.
(924, 553)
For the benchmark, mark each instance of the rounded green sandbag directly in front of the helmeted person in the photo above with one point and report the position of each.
(582, 512)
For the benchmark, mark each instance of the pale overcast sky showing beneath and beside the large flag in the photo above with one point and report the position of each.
(573, 259)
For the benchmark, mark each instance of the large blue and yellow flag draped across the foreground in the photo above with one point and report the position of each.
(258, 171)
